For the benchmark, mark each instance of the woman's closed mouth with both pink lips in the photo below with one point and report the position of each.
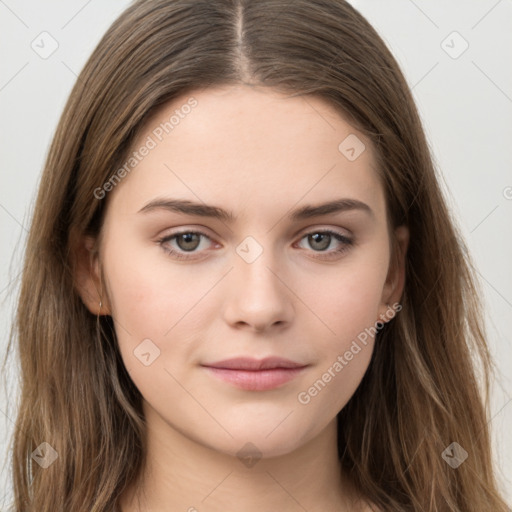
(256, 374)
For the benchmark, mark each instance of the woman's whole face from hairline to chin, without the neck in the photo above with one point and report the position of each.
(244, 307)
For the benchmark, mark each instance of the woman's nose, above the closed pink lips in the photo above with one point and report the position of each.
(257, 297)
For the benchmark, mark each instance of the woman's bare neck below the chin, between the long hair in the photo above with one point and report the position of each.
(182, 474)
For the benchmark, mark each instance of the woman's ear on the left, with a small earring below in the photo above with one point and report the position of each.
(87, 277)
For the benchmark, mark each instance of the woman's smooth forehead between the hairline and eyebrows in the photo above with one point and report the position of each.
(251, 147)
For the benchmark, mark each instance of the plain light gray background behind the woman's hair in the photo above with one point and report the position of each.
(465, 103)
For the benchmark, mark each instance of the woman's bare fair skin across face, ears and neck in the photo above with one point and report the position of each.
(259, 154)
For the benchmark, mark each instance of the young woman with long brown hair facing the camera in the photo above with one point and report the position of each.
(242, 287)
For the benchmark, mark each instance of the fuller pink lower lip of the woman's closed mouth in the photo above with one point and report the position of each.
(256, 380)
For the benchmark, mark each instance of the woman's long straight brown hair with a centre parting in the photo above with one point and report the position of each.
(428, 380)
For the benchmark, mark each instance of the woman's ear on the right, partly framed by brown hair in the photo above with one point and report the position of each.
(395, 280)
